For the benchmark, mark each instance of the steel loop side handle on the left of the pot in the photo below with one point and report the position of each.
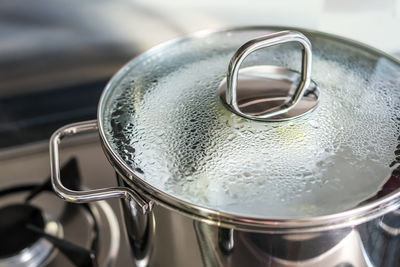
(86, 195)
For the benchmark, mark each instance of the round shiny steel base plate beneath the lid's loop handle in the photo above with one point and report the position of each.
(261, 89)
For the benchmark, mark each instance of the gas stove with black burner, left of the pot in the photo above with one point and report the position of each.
(40, 229)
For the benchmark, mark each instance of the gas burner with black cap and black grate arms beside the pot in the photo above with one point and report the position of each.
(29, 237)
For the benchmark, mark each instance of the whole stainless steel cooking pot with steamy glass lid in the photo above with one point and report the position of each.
(288, 156)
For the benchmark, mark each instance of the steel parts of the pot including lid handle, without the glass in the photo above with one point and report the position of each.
(165, 230)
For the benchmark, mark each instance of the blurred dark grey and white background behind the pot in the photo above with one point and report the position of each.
(56, 56)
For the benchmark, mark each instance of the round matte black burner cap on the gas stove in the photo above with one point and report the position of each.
(13, 228)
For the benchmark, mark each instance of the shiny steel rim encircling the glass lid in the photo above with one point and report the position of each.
(346, 218)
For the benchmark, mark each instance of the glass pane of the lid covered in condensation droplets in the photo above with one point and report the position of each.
(165, 120)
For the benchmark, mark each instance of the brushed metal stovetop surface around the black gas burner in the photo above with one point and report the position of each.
(29, 164)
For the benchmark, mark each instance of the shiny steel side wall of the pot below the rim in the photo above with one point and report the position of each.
(165, 237)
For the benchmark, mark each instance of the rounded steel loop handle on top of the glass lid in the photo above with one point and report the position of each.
(256, 44)
